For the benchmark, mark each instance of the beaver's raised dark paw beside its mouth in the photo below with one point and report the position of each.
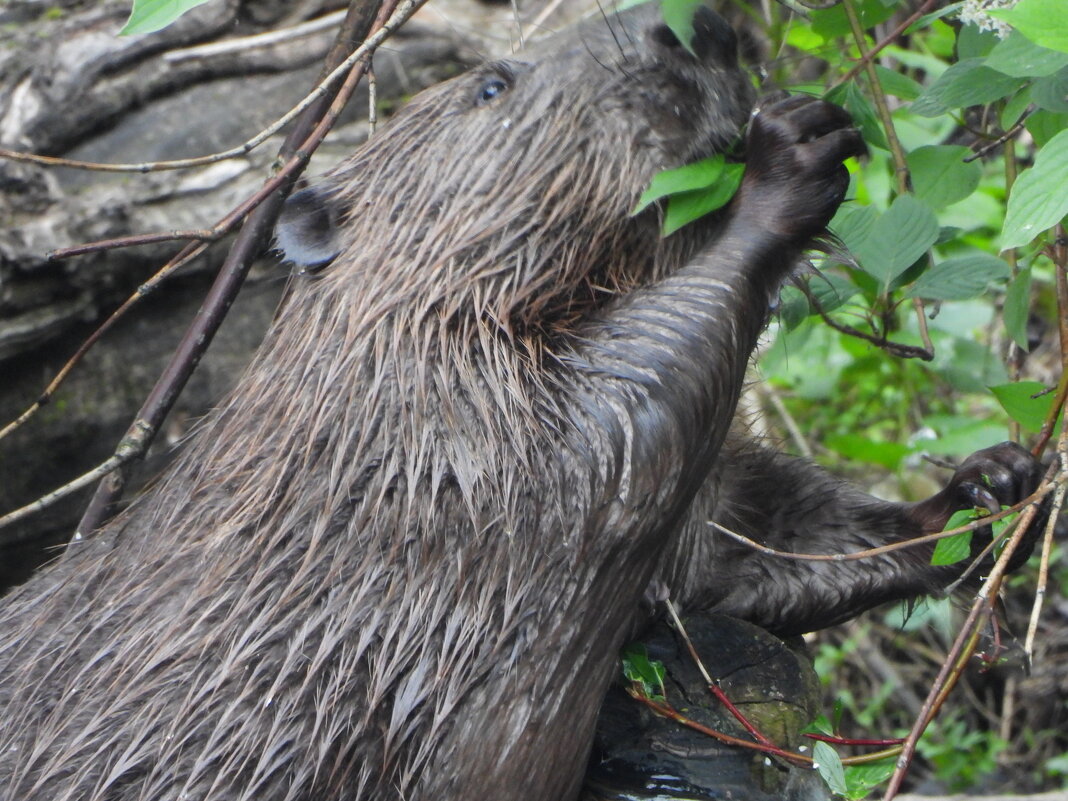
(795, 180)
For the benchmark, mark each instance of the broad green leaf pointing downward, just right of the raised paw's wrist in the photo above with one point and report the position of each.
(899, 239)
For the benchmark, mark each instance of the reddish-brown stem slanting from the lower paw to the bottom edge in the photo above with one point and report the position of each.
(963, 649)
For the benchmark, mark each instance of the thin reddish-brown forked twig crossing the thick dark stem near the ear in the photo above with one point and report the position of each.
(191, 252)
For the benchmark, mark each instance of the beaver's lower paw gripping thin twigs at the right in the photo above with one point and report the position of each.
(997, 477)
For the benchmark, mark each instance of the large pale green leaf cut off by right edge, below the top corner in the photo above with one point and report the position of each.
(1039, 200)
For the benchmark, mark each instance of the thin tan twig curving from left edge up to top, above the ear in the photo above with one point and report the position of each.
(324, 89)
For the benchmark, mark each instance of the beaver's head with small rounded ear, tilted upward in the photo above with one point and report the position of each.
(506, 194)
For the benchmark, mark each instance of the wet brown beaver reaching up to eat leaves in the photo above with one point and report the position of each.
(399, 561)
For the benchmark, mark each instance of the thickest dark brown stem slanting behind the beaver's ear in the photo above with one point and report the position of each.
(299, 145)
